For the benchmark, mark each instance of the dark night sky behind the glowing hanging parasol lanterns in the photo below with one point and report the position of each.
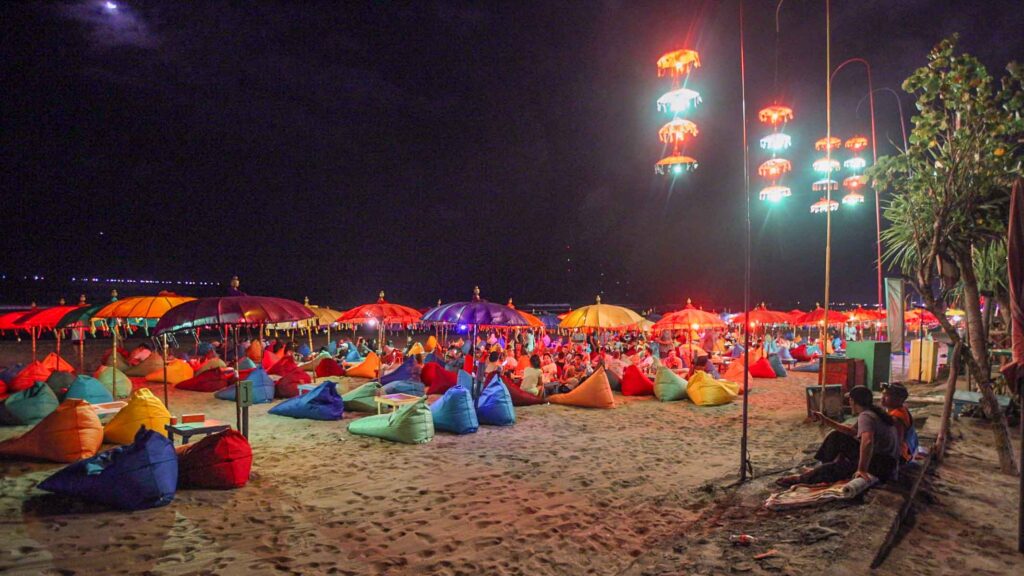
(334, 149)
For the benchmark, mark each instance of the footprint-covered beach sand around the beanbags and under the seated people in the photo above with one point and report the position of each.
(641, 489)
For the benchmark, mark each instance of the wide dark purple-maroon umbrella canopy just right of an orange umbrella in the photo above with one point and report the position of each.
(232, 311)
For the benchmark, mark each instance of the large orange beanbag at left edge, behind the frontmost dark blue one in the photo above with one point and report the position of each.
(71, 433)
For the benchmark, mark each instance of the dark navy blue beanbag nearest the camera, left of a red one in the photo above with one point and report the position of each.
(144, 475)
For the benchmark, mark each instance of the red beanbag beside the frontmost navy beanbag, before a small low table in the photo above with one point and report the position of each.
(222, 461)
